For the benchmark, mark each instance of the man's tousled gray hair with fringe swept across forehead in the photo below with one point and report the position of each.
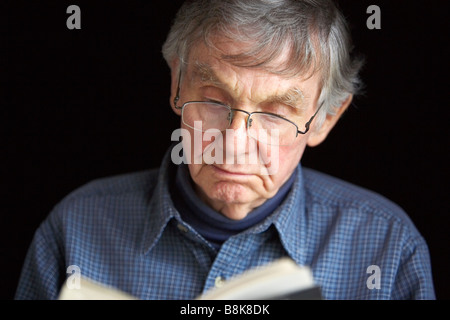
(313, 32)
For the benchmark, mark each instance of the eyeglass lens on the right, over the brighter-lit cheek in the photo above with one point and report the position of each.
(272, 130)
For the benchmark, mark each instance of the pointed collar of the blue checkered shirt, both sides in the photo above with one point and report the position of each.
(288, 218)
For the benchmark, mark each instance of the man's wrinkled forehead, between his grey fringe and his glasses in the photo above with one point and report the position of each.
(206, 67)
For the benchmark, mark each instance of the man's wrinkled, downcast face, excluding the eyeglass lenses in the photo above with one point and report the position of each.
(234, 189)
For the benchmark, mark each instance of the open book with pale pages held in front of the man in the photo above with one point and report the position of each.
(282, 279)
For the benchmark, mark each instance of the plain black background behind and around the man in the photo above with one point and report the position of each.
(83, 104)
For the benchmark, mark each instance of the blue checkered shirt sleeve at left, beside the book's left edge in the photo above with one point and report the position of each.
(43, 270)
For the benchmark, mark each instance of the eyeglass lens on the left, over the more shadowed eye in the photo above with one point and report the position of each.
(205, 115)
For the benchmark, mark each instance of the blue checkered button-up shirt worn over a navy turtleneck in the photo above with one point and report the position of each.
(124, 231)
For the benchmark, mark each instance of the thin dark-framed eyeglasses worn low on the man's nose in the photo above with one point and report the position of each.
(265, 127)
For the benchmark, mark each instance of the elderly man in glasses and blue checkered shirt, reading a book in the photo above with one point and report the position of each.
(254, 83)
